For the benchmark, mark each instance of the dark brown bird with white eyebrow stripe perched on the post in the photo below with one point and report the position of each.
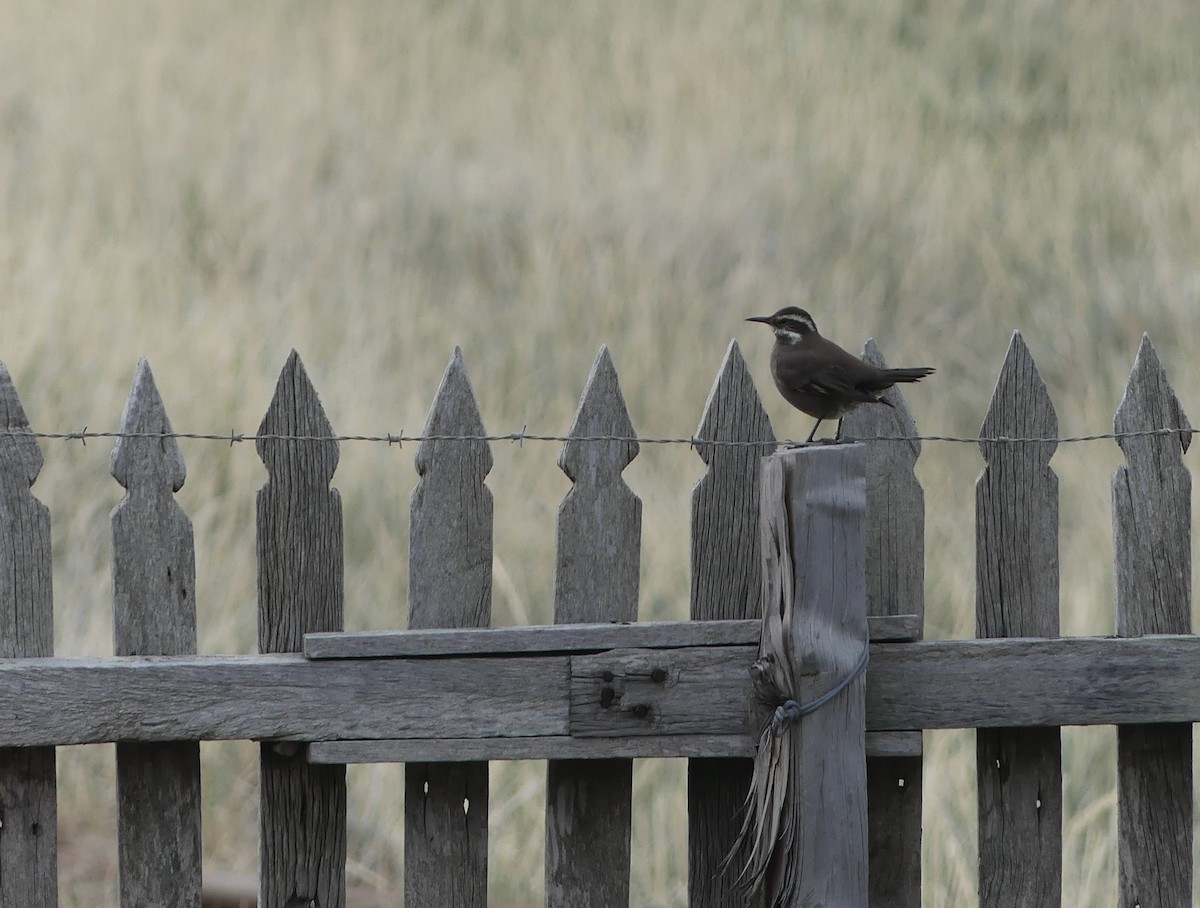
(818, 377)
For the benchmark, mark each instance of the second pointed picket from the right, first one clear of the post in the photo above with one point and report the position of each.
(1019, 772)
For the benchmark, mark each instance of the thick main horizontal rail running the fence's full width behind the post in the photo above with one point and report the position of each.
(671, 700)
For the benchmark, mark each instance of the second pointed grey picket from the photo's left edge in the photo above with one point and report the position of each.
(154, 614)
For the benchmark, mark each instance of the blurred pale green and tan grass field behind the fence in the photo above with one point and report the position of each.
(212, 185)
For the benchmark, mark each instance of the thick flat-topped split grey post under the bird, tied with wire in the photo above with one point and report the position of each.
(815, 542)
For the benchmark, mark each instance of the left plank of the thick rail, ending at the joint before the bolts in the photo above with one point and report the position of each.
(80, 701)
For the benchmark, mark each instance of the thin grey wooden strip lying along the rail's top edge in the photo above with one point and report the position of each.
(568, 639)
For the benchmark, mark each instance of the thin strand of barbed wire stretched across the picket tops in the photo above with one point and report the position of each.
(399, 440)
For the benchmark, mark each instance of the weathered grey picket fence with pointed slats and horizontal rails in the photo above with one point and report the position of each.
(599, 689)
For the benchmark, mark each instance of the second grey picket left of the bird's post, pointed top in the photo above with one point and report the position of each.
(589, 805)
